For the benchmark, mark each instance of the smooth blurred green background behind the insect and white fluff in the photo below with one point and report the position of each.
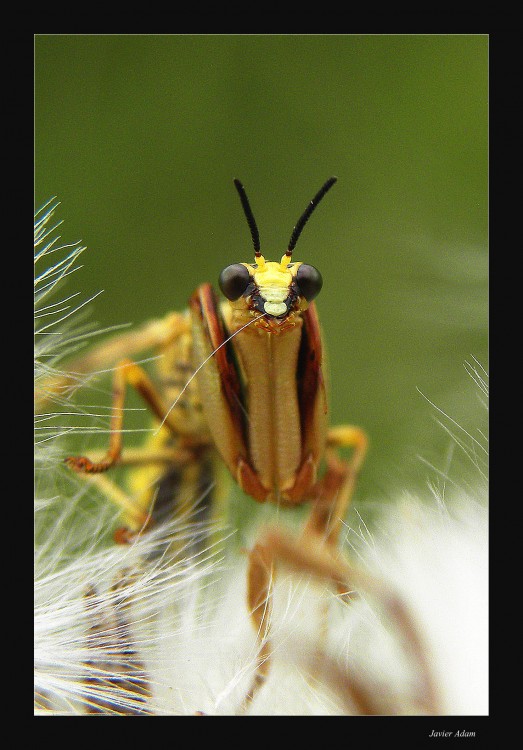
(140, 136)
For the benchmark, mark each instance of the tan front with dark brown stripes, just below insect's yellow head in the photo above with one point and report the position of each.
(263, 395)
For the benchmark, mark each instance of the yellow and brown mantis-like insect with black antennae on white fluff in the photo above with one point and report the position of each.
(241, 381)
